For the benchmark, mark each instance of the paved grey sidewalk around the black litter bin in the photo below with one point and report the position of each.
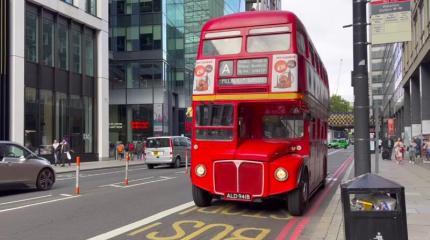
(415, 179)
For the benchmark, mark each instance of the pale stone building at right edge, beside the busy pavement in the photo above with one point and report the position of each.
(407, 100)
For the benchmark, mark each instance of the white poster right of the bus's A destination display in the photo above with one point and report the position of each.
(284, 73)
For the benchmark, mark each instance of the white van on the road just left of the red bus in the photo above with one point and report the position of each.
(172, 150)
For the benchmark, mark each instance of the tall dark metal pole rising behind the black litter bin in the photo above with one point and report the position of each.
(361, 88)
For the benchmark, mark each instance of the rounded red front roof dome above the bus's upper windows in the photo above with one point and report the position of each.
(250, 19)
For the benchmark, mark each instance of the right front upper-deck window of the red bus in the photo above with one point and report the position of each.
(269, 43)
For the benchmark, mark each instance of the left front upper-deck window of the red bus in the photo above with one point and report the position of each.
(215, 47)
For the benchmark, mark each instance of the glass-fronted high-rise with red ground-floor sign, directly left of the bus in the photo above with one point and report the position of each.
(146, 68)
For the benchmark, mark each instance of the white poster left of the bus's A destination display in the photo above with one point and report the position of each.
(204, 77)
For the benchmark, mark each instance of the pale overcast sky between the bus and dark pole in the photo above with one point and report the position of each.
(323, 21)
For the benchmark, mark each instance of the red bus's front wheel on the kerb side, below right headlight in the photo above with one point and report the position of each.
(297, 199)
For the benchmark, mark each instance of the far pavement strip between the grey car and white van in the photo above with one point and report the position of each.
(111, 163)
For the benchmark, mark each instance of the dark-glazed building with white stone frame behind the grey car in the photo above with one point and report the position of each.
(58, 73)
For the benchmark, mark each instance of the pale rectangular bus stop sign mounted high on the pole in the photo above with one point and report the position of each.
(390, 21)
